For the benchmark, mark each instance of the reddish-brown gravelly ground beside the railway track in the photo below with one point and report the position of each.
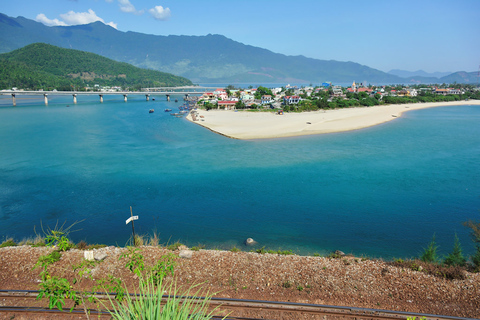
(344, 281)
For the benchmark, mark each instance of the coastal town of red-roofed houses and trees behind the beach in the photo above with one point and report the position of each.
(328, 96)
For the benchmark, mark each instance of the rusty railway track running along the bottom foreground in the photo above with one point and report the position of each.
(234, 304)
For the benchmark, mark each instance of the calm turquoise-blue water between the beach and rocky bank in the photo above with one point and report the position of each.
(381, 191)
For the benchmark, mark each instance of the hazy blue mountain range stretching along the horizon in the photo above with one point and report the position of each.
(202, 59)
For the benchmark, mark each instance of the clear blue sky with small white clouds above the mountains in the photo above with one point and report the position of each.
(431, 35)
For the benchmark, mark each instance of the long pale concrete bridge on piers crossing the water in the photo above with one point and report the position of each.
(167, 91)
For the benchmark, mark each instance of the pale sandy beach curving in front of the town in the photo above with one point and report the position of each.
(266, 125)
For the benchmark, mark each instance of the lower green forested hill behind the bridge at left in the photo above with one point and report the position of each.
(44, 66)
